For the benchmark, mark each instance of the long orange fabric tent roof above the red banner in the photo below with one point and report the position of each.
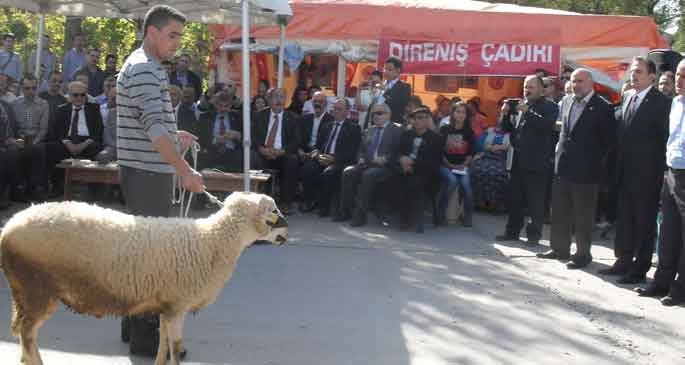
(351, 19)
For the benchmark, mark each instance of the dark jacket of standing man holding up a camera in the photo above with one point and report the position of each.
(532, 137)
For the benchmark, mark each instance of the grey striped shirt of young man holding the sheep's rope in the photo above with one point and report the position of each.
(144, 113)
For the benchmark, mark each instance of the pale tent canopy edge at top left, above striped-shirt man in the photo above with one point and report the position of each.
(262, 12)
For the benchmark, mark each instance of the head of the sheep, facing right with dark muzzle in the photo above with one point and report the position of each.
(269, 222)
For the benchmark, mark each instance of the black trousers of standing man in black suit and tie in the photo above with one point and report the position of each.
(636, 227)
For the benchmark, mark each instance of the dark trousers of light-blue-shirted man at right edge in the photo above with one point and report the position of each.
(671, 252)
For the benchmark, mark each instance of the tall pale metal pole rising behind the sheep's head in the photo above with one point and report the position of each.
(246, 93)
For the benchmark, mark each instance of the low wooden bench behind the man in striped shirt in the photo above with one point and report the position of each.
(85, 171)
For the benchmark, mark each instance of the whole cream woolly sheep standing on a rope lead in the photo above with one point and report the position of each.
(102, 262)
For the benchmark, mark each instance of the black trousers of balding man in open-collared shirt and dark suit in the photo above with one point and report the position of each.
(573, 212)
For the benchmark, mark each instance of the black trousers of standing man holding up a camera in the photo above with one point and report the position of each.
(528, 189)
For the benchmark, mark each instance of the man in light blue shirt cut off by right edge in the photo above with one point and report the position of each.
(671, 247)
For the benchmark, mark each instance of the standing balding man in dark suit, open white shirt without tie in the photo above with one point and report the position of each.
(587, 133)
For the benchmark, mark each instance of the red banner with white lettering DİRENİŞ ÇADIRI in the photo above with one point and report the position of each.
(471, 59)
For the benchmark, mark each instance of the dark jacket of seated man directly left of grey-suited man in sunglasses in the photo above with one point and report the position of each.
(347, 145)
